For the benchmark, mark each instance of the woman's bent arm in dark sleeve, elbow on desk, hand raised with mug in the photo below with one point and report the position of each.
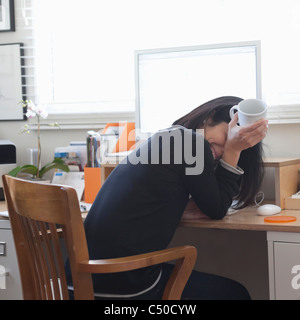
(214, 189)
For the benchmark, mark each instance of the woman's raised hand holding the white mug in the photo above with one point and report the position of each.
(242, 138)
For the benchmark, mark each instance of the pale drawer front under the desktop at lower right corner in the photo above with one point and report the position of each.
(287, 270)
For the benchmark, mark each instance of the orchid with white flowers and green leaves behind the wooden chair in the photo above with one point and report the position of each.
(36, 171)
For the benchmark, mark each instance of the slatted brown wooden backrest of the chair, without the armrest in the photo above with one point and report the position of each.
(39, 215)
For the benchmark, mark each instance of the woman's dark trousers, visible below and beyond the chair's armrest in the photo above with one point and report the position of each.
(200, 286)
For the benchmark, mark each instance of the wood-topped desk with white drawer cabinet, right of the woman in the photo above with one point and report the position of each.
(283, 241)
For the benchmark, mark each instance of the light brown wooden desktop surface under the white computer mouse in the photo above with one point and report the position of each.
(245, 219)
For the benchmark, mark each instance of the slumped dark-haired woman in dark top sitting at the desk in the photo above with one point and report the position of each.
(142, 202)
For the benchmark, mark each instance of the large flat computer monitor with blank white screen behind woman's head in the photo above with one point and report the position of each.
(173, 81)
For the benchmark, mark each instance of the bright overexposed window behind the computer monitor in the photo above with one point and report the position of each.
(84, 50)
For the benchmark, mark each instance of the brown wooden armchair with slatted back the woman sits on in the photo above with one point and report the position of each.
(39, 213)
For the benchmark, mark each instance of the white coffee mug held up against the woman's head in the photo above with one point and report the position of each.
(249, 111)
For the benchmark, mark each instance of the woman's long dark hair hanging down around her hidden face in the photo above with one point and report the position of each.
(250, 159)
